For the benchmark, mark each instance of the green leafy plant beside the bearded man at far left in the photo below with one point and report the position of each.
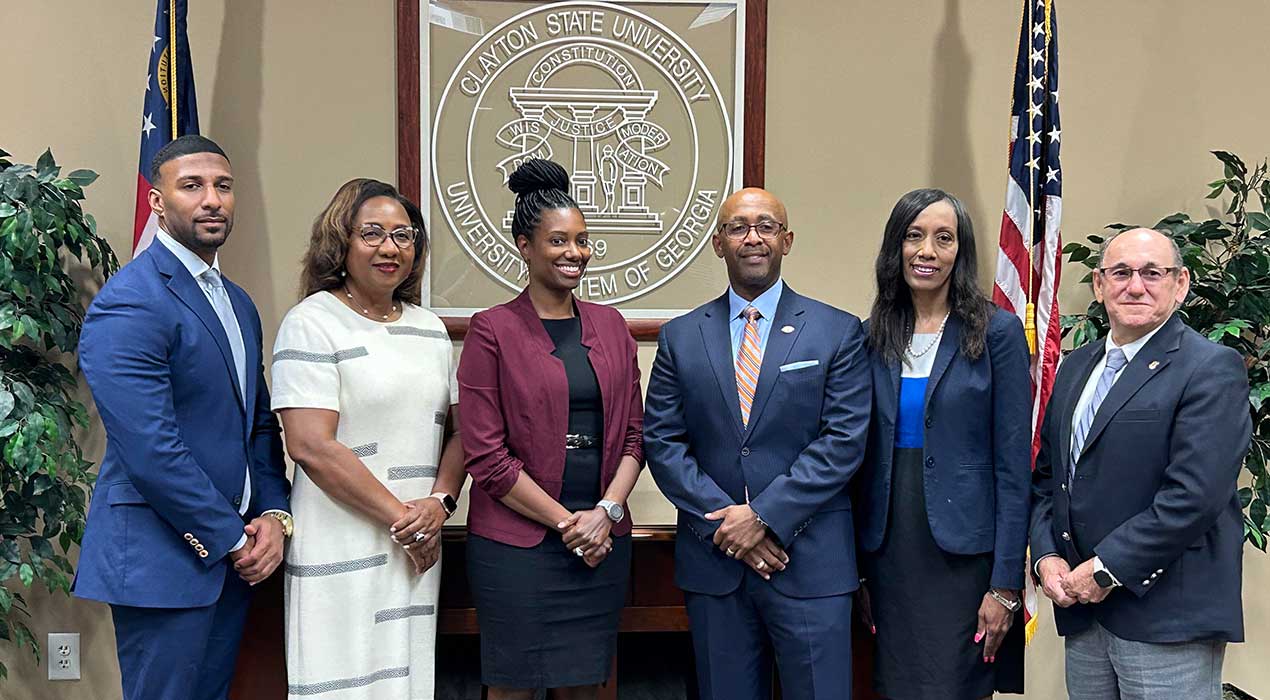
(45, 481)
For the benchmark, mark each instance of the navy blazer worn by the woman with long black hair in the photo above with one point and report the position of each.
(977, 450)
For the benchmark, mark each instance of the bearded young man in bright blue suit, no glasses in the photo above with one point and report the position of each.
(191, 502)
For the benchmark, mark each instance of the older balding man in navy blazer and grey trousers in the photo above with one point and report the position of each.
(1136, 528)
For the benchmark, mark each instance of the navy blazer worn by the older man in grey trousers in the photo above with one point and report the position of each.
(1155, 492)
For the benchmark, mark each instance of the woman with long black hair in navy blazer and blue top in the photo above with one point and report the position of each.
(944, 488)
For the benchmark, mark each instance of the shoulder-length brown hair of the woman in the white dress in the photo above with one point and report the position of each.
(330, 241)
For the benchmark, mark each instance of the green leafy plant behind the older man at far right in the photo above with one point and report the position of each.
(1230, 302)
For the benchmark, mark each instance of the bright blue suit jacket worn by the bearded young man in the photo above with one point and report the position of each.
(178, 439)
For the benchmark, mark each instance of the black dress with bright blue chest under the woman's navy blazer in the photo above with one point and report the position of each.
(925, 602)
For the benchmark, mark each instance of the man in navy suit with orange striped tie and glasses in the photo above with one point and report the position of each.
(756, 419)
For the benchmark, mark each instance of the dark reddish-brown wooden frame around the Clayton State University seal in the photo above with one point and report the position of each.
(411, 159)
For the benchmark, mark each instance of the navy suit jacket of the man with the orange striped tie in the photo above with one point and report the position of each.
(805, 441)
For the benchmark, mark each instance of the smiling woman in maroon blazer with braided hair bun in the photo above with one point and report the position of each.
(553, 440)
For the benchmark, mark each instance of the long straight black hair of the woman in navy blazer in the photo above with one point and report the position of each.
(891, 323)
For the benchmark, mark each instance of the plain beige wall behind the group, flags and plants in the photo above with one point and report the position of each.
(866, 102)
